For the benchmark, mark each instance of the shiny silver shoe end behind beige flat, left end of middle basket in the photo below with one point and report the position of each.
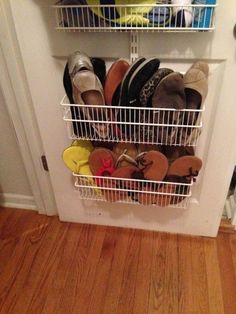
(78, 61)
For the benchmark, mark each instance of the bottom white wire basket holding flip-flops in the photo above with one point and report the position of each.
(133, 191)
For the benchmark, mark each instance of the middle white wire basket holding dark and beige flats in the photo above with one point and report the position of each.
(140, 125)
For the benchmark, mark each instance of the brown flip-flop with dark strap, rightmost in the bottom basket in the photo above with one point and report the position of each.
(187, 167)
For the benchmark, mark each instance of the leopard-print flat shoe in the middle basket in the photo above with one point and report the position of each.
(149, 87)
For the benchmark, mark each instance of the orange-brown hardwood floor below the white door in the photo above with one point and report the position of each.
(51, 267)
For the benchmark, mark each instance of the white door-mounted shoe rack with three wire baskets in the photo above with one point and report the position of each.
(163, 126)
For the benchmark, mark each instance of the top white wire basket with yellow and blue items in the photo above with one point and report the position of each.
(134, 17)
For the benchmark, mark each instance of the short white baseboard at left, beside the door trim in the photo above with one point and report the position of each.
(17, 201)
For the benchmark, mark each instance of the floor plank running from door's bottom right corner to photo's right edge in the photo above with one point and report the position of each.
(228, 278)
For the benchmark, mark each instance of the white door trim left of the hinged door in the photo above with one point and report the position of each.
(19, 105)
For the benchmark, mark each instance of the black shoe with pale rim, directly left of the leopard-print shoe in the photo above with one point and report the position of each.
(138, 79)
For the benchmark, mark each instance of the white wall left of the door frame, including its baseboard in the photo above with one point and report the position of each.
(15, 190)
